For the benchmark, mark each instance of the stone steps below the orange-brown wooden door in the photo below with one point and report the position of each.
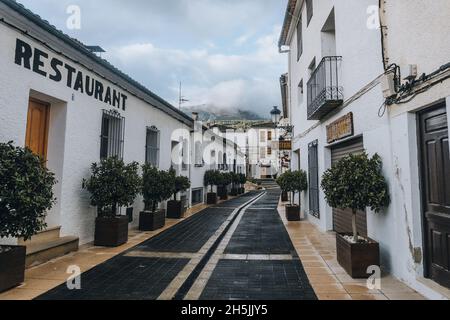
(41, 252)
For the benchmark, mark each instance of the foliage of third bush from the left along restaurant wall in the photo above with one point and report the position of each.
(157, 186)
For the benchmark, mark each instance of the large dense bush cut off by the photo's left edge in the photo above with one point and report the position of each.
(26, 192)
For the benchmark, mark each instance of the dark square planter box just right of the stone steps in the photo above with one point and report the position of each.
(111, 232)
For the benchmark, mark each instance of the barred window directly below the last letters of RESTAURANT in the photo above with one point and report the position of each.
(112, 135)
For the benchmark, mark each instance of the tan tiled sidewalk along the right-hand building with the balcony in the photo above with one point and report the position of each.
(317, 250)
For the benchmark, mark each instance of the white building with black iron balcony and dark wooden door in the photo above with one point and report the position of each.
(335, 94)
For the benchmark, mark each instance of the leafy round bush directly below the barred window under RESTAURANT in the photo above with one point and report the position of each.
(113, 184)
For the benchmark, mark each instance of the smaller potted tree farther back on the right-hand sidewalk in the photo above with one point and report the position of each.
(293, 182)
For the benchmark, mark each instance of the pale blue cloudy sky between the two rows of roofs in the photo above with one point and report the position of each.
(224, 51)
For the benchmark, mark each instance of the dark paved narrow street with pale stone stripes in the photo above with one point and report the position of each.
(238, 249)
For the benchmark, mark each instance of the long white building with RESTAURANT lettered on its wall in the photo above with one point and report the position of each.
(74, 109)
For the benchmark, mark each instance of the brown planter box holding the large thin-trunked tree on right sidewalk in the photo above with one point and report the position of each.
(356, 258)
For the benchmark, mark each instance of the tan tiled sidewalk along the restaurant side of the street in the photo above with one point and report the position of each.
(45, 277)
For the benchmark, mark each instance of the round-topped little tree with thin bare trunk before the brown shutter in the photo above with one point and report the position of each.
(356, 182)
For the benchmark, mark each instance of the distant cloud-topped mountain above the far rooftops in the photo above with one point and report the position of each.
(207, 113)
